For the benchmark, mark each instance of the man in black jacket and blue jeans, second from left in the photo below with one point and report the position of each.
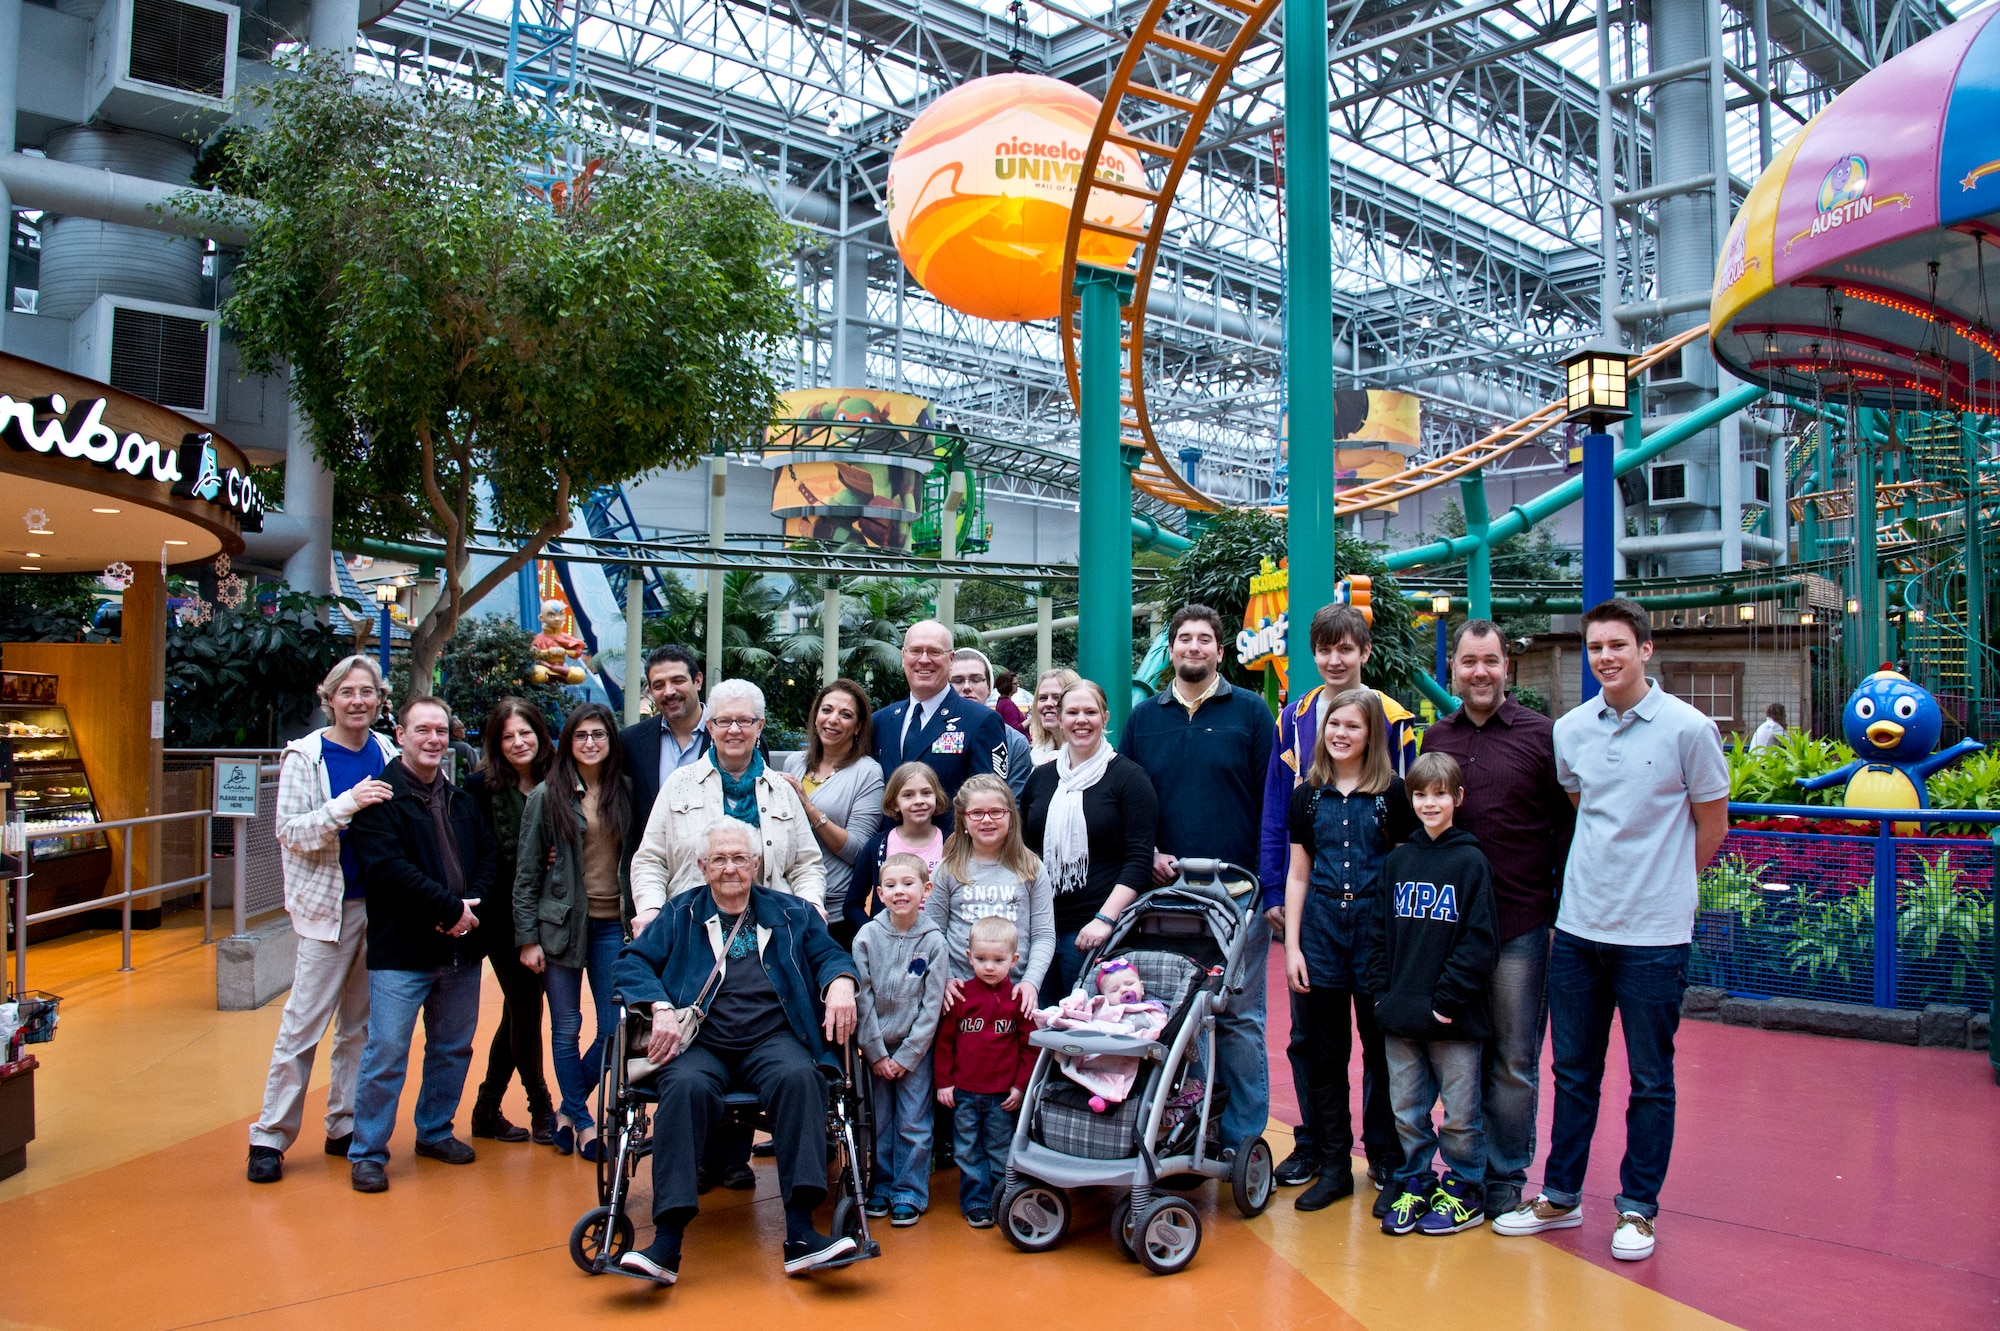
(427, 862)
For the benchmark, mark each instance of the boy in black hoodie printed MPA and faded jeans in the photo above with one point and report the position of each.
(1429, 966)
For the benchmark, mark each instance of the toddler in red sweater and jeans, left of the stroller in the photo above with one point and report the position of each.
(981, 1066)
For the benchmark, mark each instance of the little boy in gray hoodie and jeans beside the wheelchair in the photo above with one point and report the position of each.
(903, 966)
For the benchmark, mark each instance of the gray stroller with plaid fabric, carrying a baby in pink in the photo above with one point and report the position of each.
(1187, 944)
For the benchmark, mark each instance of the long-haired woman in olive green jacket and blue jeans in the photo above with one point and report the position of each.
(573, 902)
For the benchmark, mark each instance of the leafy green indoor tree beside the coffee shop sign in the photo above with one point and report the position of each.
(471, 351)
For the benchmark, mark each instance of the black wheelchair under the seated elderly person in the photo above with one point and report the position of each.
(625, 1126)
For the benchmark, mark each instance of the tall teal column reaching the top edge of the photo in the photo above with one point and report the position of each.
(1309, 315)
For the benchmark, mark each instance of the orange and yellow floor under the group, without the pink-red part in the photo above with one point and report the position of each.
(135, 1214)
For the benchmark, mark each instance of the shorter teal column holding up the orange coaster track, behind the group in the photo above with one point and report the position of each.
(1105, 501)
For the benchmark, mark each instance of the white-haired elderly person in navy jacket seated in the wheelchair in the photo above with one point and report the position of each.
(743, 986)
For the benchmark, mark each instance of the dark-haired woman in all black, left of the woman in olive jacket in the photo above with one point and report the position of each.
(517, 756)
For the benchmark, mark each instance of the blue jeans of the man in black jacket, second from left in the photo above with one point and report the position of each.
(449, 1000)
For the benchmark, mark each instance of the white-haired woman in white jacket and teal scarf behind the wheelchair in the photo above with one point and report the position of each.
(729, 782)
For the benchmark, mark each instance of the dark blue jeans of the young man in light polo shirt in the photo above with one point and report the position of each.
(1587, 984)
